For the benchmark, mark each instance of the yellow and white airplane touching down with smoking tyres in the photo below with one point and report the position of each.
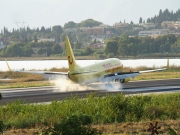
(106, 71)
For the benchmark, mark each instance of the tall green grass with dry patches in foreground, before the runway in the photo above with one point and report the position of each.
(112, 113)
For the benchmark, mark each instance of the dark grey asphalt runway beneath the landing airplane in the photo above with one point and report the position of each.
(47, 94)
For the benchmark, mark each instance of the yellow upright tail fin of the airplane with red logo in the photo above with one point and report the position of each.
(71, 59)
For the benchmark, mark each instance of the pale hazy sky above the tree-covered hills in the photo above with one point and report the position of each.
(47, 13)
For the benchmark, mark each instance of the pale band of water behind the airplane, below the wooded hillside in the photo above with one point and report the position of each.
(48, 64)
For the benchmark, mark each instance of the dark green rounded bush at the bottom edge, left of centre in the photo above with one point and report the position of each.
(73, 125)
